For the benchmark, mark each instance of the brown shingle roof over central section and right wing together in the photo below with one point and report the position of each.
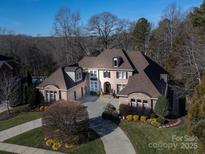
(147, 72)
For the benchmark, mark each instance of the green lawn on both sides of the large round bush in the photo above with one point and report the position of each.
(34, 138)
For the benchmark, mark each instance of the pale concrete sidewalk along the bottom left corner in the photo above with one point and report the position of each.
(24, 149)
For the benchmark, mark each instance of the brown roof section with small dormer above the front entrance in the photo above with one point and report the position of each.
(105, 60)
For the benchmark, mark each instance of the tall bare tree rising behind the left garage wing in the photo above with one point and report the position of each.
(67, 28)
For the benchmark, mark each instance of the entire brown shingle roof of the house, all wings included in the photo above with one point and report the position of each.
(146, 76)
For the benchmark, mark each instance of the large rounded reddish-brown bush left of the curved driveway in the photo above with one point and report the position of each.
(66, 122)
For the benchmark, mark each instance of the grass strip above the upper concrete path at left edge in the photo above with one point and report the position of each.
(19, 119)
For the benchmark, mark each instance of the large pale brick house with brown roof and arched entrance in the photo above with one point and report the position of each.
(132, 76)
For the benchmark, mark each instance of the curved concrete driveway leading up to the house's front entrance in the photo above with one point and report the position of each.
(114, 139)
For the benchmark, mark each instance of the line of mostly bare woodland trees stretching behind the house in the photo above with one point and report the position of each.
(176, 43)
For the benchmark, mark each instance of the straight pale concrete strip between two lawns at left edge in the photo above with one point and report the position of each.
(14, 131)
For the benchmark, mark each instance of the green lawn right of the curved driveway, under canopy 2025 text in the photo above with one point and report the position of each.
(142, 136)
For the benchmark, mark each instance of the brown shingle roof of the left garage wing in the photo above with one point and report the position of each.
(60, 79)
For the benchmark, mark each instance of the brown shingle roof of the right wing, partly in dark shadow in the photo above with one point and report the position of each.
(147, 78)
